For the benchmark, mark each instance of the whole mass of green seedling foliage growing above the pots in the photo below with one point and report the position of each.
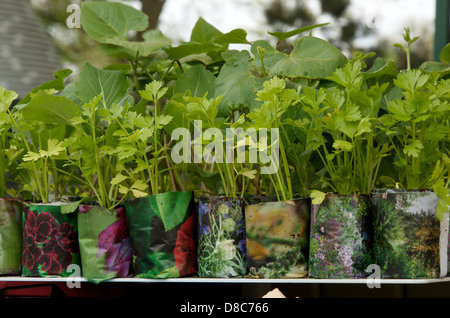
(108, 134)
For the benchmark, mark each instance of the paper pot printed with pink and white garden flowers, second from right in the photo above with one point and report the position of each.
(341, 237)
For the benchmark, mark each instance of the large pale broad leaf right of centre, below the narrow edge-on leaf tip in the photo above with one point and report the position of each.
(311, 58)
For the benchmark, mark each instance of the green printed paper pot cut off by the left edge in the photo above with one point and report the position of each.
(10, 236)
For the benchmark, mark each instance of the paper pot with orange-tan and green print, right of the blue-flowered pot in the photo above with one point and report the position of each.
(277, 238)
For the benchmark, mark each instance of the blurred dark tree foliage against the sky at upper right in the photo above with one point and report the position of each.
(343, 30)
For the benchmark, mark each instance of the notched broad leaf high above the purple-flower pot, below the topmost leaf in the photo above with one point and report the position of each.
(92, 81)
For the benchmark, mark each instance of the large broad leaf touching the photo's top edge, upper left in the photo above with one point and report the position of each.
(104, 20)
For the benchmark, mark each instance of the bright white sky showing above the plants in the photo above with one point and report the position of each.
(387, 17)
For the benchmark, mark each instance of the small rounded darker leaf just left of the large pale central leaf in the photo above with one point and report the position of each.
(197, 80)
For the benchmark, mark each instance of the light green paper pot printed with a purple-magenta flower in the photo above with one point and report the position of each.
(105, 244)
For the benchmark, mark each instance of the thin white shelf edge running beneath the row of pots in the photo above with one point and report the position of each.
(227, 280)
